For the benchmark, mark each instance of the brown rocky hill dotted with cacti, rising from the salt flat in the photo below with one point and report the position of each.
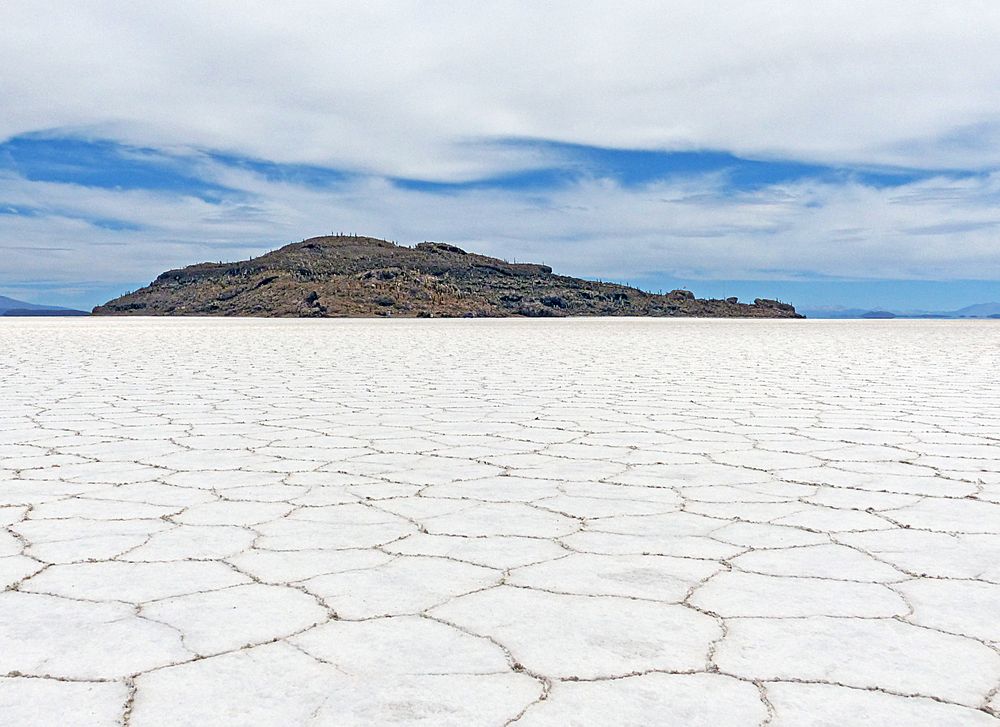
(363, 276)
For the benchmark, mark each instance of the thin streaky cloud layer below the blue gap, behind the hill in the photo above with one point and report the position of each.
(690, 226)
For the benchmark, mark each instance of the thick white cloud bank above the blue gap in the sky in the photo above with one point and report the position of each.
(409, 88)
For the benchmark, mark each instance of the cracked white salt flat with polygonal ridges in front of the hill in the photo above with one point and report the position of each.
(576, 522)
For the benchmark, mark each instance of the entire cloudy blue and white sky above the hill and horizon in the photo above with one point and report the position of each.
(827, 153)
